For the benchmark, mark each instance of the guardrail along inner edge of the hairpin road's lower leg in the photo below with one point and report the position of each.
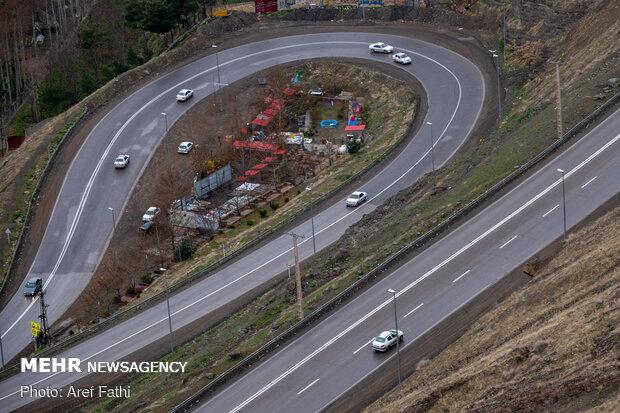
(262, 236)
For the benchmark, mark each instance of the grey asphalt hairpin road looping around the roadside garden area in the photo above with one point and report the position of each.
(81, 225)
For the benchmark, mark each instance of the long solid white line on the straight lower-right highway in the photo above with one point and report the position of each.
(423, 277)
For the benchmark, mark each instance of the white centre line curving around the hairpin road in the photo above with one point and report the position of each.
(93, 176)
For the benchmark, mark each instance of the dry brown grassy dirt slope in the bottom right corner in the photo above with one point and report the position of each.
(553, 346)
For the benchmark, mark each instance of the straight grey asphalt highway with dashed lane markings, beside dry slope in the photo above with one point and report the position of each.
(322, 364)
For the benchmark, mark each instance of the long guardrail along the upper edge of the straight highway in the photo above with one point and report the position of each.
(381, 269)
